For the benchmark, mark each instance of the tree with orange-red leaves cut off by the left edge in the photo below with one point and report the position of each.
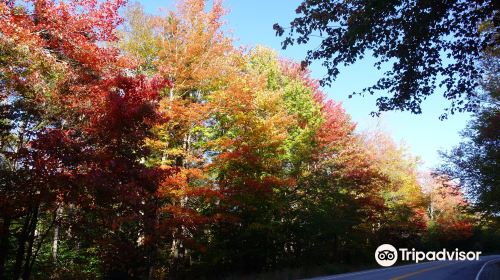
(22, 118)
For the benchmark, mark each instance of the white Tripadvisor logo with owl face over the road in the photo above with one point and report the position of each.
(387, 255)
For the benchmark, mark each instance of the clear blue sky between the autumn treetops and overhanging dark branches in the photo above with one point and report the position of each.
(251, 21)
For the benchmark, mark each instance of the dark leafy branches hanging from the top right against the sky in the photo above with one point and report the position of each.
(423, 40)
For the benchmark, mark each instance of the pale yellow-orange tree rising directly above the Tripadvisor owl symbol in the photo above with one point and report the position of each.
(404, 219)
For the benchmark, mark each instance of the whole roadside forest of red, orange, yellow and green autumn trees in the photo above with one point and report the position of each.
(145, 146)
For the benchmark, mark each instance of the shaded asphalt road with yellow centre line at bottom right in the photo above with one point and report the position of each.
(456, 270)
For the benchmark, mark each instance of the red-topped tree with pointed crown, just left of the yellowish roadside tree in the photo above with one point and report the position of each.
(338, 197)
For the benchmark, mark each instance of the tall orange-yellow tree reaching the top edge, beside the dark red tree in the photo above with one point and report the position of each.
(189, 48)
